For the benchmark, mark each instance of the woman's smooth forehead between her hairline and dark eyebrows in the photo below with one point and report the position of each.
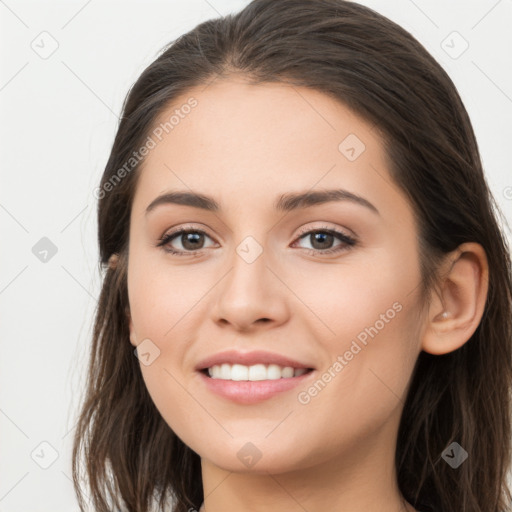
(247, 144)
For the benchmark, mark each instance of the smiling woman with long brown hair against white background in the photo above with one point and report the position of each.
(302, 252)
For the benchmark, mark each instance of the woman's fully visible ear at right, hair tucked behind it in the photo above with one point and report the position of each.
(455, 313)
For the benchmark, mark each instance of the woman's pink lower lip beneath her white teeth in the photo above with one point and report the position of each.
(251, 392)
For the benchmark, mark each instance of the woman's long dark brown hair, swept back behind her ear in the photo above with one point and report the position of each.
(132, 459)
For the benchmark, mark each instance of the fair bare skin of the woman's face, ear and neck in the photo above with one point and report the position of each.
(244, 145)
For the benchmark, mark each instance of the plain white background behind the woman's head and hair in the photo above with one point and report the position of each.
(58, 120)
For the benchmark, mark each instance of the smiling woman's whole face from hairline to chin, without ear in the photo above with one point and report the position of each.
(262, 278)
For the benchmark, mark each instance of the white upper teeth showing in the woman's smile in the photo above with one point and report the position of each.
(256, 372)
